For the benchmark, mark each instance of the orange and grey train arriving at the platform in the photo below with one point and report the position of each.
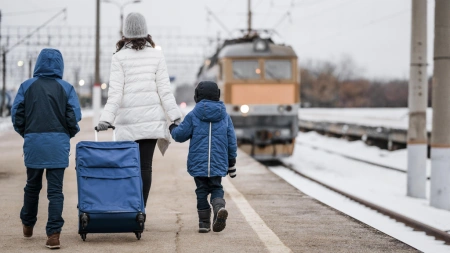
(259, 82)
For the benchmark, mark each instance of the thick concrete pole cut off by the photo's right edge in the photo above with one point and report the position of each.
(440, 138)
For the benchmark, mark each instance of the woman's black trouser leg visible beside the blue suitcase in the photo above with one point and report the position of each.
(146, 150)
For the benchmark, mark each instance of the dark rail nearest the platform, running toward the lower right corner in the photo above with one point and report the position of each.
(416, 225)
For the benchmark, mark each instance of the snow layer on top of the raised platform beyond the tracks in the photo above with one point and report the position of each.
(388, 117)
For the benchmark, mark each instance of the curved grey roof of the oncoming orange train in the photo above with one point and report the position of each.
(247, 49)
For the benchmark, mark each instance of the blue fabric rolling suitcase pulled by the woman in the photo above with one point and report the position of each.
(110, 198)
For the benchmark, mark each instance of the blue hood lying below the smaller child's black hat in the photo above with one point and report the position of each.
(210, 111)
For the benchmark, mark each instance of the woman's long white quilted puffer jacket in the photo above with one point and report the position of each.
(140, 96)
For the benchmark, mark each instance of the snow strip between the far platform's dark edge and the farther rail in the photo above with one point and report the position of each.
(395, 159)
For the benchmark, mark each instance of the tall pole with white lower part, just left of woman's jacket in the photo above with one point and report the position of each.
(96, 93)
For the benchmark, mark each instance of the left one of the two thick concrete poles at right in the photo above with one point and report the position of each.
(417, 102)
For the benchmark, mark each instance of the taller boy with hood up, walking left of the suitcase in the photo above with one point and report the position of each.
(46, 113)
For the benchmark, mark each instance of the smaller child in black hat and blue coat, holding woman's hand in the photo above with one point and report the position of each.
(212, 152)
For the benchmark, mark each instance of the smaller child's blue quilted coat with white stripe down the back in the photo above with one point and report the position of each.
(213, 140)
